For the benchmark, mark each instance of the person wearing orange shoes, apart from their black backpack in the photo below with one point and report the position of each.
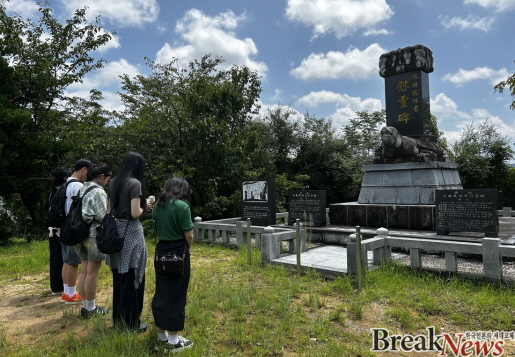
(71, 259)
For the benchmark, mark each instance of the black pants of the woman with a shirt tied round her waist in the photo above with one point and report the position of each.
(127, 301)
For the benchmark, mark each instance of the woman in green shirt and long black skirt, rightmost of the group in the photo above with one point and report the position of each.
(174, 229)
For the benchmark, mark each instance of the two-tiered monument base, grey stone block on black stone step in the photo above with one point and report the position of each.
(398, 195)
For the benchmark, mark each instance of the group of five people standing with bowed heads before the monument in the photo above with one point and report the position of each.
(126, 202)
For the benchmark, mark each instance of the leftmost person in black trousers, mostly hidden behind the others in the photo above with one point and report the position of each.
(56, 256)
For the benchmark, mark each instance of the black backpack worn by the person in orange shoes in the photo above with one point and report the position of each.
(74, 229)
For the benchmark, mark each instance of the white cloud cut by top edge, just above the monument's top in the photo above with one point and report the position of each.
(343, 17)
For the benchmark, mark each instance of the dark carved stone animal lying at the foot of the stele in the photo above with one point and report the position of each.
(396, 148)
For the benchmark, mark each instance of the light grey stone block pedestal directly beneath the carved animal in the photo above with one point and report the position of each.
(409, 183)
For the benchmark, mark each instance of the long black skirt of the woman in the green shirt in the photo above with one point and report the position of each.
(169, 302)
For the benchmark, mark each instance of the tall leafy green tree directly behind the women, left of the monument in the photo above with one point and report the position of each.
(194, 122)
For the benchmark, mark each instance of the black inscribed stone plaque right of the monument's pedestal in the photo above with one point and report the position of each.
(467, 211)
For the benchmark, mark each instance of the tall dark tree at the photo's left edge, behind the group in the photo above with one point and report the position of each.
(37, 63)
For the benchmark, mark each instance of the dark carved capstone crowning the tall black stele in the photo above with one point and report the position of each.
(406, 59)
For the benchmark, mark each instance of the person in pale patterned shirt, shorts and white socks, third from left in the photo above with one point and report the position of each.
(94, 208)
